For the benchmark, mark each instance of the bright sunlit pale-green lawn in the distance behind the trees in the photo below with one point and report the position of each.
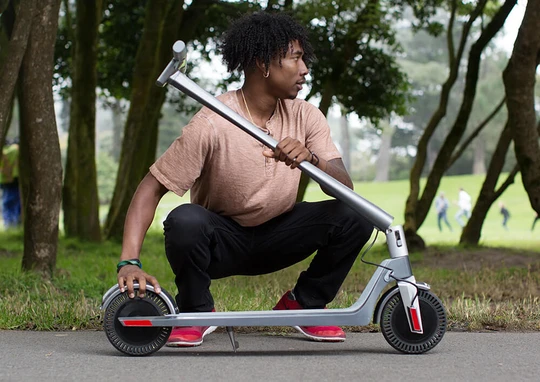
(391, 197)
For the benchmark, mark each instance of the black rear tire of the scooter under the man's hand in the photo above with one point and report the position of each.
(138, 341)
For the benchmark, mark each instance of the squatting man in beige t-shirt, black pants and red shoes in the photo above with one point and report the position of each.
(243, 219)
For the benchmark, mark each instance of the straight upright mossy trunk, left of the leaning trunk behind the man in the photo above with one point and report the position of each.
(80, 192)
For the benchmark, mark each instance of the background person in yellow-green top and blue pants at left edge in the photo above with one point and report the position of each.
(9, 183)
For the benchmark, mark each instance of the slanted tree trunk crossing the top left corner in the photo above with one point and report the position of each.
(9, 69)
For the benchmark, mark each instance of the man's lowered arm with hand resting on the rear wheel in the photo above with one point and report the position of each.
(138, 219)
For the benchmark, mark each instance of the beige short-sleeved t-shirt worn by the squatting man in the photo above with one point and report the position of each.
(225, 169)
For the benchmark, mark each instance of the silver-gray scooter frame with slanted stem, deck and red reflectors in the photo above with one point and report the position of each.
(361, 313)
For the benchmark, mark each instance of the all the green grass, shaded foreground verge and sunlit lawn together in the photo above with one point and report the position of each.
(486, 298)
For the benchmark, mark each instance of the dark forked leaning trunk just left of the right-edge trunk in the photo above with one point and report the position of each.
(488, 194)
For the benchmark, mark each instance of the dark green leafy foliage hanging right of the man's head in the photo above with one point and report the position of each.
(356, 48)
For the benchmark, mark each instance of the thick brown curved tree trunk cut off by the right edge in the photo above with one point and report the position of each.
(519, 81)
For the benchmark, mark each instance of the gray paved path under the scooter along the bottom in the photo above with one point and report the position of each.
(88, 356)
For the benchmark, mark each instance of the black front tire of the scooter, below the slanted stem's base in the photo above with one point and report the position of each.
(395, 326)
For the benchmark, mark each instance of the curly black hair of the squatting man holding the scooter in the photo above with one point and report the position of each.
(262, 36)
